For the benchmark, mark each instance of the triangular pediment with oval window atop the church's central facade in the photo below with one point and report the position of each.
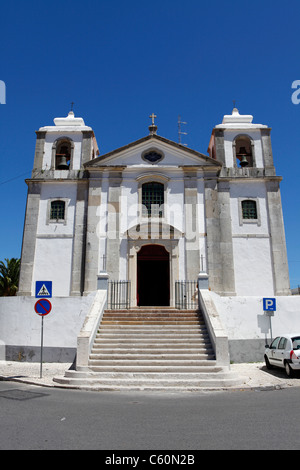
(152, 150)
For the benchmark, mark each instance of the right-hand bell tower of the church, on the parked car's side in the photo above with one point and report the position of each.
(250, 246)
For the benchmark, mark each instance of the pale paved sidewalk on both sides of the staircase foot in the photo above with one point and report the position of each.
(253, 376)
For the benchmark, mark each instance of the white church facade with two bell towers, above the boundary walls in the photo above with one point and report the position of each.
(155, 212)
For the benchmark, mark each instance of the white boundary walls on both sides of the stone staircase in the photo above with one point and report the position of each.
(242, 318)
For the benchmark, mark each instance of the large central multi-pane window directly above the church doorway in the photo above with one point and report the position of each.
(153, 199)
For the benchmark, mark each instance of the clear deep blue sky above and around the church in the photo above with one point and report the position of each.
(119, 61)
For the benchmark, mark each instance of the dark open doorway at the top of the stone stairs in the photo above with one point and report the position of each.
(153, 276)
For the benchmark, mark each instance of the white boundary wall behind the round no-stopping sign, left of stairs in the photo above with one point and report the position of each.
(20, 328)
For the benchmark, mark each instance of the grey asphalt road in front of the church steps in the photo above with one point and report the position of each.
(34, 418)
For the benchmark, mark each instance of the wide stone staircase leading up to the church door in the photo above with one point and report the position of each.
(151, 349)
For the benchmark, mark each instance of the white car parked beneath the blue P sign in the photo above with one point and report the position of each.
(284, 351)
